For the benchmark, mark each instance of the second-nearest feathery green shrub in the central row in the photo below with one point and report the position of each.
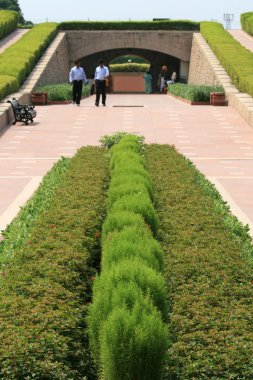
(129, 273)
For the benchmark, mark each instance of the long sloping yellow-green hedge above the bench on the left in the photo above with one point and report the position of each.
(18, 60)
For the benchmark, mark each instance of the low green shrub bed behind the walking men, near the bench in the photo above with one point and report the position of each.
(61, 91)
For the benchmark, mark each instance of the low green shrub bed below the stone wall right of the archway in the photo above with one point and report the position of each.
(193, 92)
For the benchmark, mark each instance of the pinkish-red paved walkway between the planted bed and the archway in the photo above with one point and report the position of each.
(216, 139)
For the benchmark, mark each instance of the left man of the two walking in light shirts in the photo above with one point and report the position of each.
(77, 77)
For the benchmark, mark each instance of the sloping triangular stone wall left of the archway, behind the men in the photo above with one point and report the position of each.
(57, 68)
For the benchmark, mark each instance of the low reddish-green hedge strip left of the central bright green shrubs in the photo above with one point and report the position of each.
(45, 290)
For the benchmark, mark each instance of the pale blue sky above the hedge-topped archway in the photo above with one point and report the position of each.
(61, 10)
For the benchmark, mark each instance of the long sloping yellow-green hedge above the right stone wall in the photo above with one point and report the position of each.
(226, 49)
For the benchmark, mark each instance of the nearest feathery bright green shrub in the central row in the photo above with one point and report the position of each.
(131, 338)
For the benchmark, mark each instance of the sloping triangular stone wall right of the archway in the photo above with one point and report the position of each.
(201, 70)
